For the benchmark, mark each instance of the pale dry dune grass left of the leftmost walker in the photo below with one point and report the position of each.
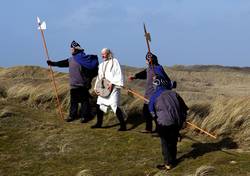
(33, 85)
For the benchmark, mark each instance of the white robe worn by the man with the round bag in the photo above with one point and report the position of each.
(115, 76)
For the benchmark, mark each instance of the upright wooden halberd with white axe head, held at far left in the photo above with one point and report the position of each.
(42, 27)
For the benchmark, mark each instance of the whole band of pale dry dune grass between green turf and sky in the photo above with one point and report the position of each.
(217, 96)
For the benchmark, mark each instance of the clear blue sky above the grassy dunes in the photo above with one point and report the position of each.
(183, 32)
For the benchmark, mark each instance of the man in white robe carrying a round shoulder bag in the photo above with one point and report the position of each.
(109, 69)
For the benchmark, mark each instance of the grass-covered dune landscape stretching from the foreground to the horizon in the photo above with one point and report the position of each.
(34, 140)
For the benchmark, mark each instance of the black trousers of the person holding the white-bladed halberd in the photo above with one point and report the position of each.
(79, 95)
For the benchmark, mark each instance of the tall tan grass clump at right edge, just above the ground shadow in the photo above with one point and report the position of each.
(228, 117)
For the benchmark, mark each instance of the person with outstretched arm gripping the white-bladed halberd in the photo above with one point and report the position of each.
(82, 69)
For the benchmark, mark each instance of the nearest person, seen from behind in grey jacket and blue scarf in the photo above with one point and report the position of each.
(170, 112)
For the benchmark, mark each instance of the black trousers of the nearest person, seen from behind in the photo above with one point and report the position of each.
(169, 139)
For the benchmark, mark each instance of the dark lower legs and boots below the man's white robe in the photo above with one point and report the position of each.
(119, 115)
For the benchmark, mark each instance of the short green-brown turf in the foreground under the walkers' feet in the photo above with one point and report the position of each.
(40, 143)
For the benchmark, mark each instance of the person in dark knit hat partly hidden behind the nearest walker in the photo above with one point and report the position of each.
(153, 68)
